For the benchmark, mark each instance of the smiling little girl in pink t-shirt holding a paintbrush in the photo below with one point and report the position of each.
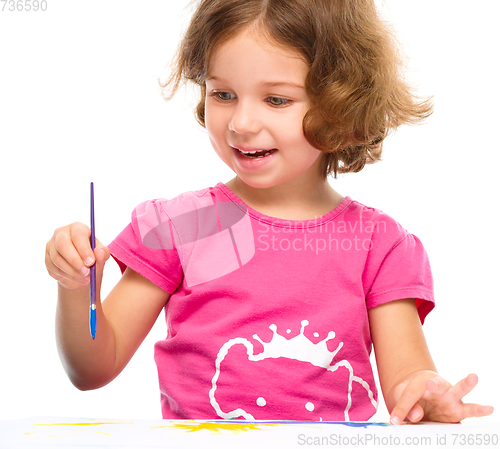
(274, 285)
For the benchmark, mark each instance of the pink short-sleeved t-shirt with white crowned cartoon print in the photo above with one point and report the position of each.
(267, 318)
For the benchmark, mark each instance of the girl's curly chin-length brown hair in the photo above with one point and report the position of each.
(355, 81)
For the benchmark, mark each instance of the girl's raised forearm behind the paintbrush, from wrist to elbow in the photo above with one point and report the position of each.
(89, 363)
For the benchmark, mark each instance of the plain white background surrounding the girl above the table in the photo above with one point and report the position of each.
(79, 102)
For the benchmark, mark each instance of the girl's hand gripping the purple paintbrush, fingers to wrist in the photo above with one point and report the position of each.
(69, 256)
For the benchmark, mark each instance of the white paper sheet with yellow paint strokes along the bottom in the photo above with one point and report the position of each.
(107, 433)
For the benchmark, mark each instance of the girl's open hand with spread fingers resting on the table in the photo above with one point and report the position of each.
(429, 397)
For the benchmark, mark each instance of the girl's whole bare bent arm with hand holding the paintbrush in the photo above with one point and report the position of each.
(124, 319)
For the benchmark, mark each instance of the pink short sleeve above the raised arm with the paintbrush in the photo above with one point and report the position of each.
(146, 246)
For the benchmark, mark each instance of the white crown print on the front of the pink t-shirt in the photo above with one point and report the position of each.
(298, 348)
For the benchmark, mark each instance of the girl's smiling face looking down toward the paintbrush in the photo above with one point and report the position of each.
(255, 102)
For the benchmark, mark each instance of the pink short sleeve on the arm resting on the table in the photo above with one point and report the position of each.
(402, 272)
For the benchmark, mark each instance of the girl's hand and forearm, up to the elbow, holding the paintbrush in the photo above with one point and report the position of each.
(68, 259)
